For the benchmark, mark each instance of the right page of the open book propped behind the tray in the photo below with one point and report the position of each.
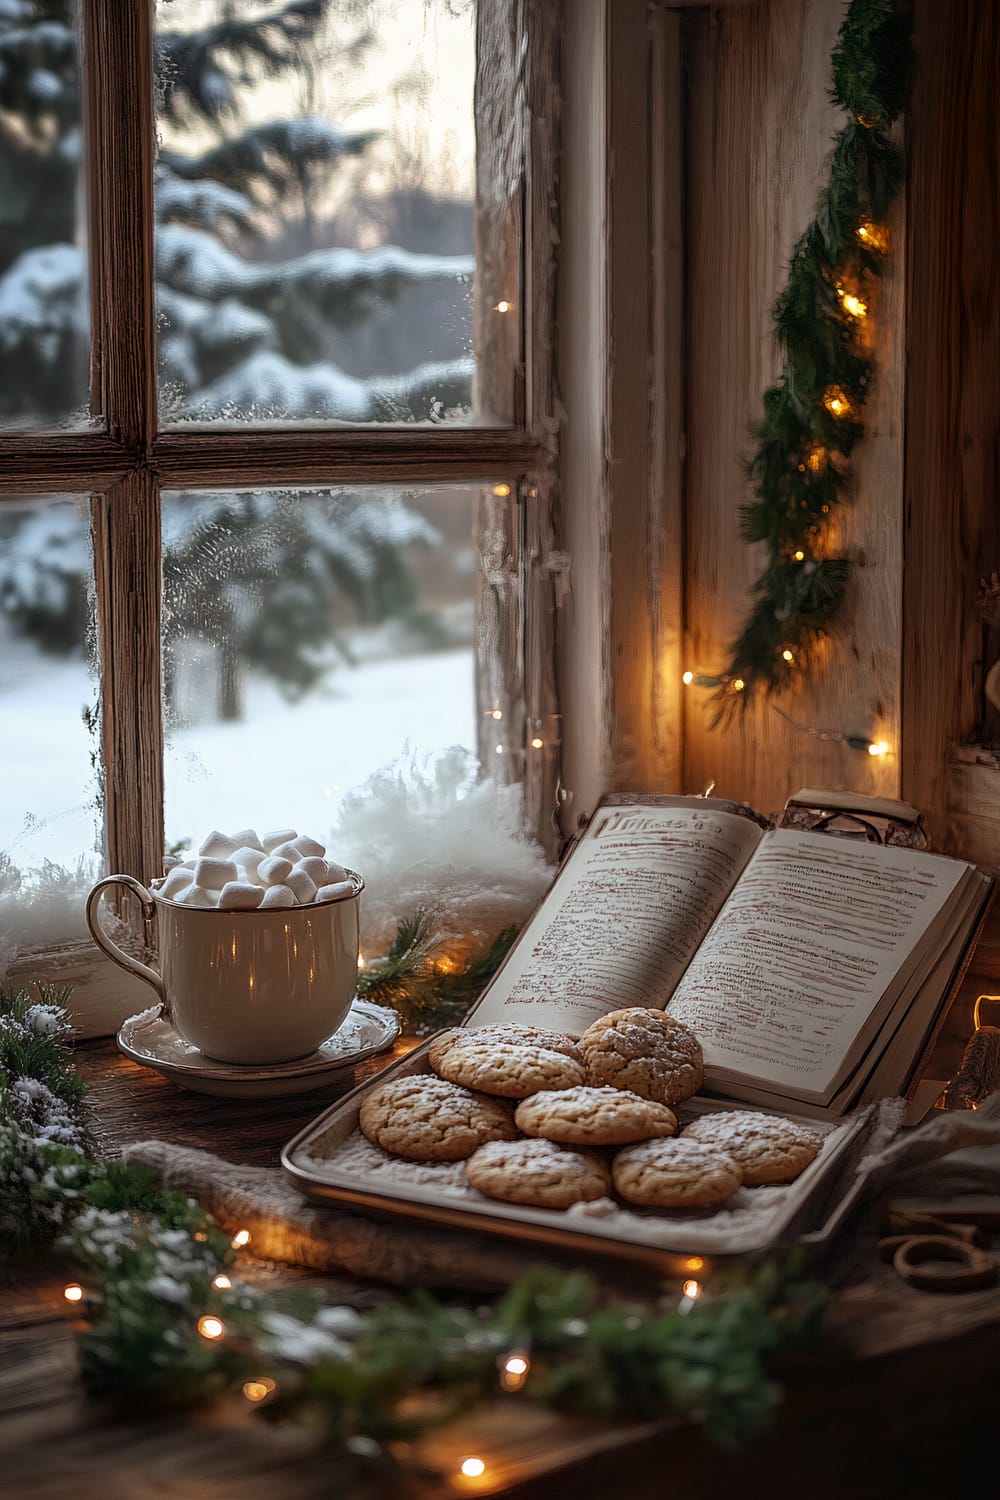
(806, 955)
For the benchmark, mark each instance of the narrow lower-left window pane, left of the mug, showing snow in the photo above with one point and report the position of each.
(50, 817)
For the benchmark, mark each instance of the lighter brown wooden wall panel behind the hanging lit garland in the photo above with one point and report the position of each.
(759, 131)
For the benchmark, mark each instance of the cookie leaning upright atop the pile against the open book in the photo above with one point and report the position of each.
(647, 1052)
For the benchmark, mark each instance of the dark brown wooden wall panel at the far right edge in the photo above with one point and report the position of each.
(953, 440)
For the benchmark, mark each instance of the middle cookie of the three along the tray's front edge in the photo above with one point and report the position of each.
(677, 1174)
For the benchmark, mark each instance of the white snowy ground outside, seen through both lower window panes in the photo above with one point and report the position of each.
(283, 766)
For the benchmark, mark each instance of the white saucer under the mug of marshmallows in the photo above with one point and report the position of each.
(154, 1043)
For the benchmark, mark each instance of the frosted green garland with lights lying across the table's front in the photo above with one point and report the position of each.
(169, 1324)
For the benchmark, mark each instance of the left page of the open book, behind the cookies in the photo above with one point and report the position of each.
(624, 917)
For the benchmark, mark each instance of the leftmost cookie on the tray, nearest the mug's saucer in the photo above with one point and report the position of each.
(428, 1120)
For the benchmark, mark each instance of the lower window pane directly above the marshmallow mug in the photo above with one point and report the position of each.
(311, 640)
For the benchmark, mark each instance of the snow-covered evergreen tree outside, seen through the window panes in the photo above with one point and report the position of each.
(241, 338)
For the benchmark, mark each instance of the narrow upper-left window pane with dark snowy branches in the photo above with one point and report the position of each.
(44, 323)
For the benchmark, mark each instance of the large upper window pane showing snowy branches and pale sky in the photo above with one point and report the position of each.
(316, 211)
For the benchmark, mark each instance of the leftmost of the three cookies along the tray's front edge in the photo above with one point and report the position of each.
(537, 1174)
